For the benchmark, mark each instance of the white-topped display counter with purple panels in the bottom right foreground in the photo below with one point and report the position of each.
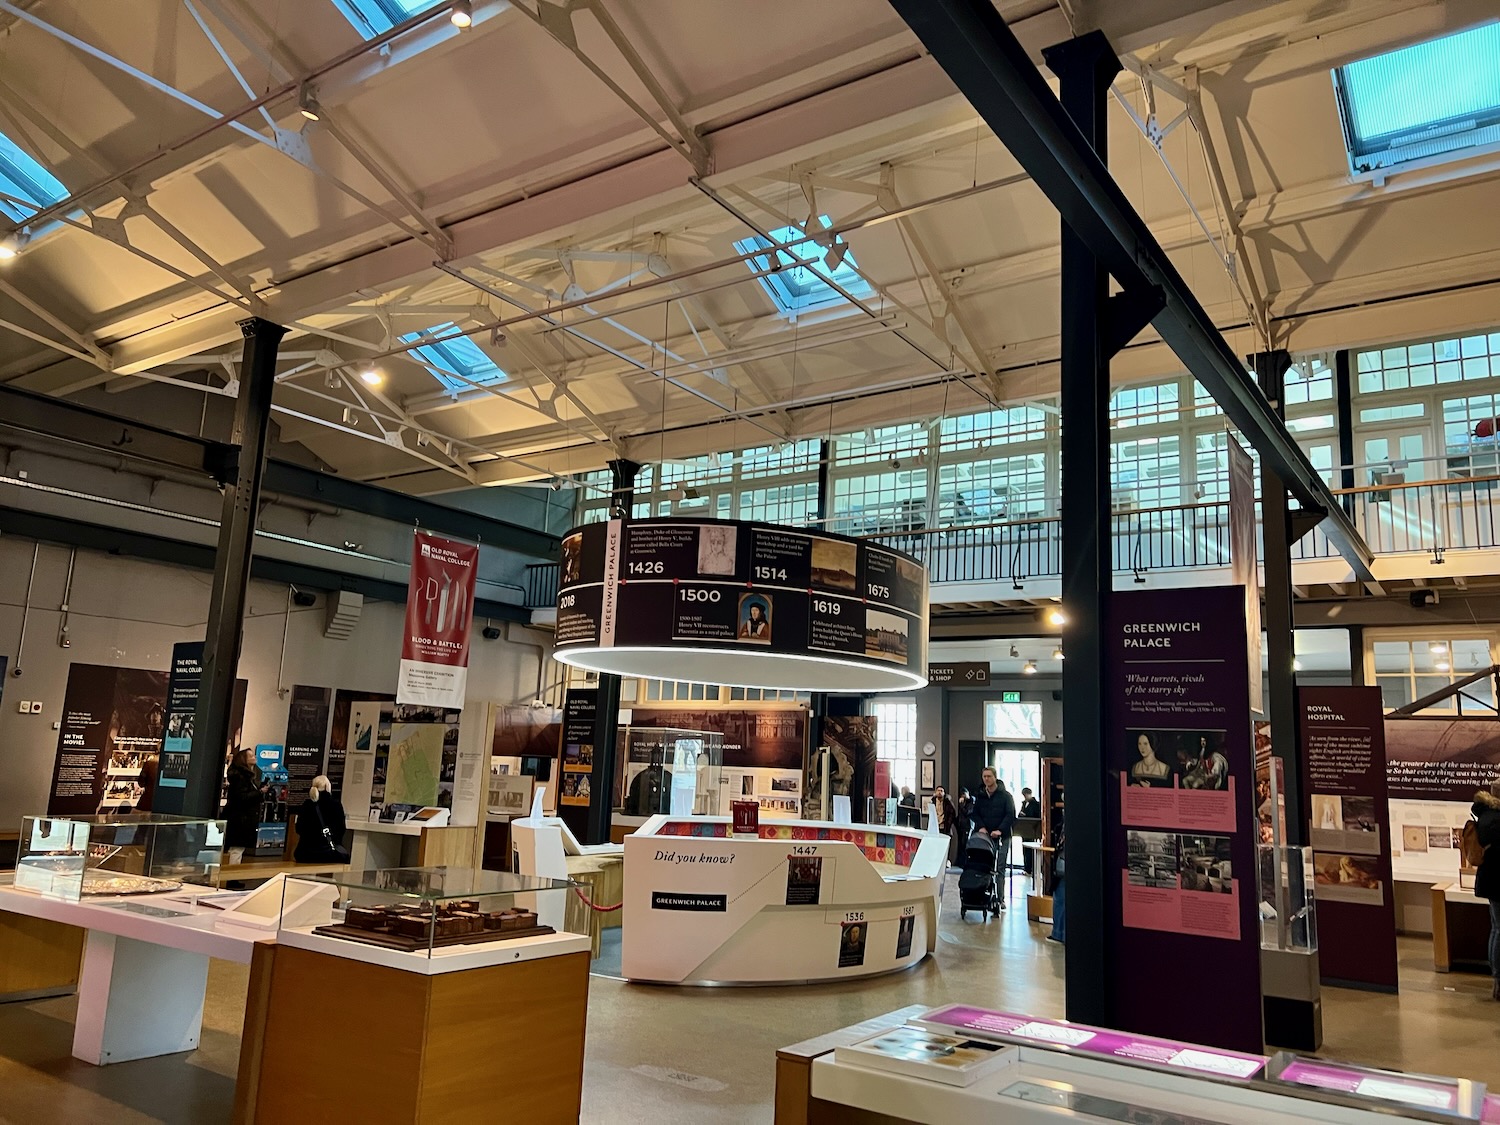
(901, 1067)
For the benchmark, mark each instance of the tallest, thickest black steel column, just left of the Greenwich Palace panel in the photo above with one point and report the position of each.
(1085, 68)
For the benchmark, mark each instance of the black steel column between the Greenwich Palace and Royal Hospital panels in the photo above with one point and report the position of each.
(1276, 529)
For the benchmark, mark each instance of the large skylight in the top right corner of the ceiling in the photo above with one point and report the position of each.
(1430, 103)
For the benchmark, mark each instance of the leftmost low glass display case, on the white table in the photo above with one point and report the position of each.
(76, 857)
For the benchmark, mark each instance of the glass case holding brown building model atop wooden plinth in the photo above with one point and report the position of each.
(427, 910)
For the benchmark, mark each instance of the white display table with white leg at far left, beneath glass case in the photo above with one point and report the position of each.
(145, 967)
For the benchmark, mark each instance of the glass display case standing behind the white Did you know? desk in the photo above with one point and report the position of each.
(668, 770)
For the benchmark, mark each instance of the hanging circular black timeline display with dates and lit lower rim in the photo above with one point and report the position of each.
(745, 605)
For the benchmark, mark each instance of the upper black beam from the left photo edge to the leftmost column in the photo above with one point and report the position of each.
(68, 422)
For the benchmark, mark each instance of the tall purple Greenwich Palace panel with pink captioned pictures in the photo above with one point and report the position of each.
(1183, 934)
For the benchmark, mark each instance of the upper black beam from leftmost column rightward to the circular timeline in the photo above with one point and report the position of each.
(370, 500)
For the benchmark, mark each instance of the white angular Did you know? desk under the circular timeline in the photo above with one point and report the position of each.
(805, 901)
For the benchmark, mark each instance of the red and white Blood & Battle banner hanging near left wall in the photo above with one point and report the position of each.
(440, 614)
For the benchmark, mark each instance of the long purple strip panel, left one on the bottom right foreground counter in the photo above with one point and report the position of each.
(1102, 1042)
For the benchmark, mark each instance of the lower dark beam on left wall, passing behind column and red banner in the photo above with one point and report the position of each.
(116, 541)
